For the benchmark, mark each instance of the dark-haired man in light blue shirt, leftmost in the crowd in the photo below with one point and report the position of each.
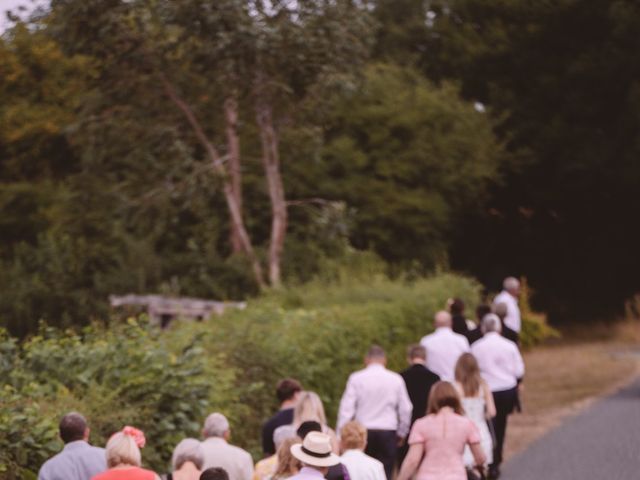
(78, 460)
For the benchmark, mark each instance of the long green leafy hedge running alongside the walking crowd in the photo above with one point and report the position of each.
(167, 382)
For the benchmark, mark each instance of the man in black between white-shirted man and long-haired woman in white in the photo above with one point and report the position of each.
(419, 380)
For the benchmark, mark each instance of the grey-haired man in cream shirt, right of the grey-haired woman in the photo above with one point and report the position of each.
(219, 453)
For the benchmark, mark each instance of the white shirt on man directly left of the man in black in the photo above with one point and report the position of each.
(378, 399)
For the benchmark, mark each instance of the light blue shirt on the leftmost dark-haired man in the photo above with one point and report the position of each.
(77, 461)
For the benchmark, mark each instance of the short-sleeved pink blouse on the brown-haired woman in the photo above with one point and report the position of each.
(444, 436)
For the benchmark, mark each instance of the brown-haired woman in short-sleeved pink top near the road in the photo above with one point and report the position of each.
(441, 437)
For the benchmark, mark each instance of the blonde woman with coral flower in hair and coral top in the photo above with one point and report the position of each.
(123, 457)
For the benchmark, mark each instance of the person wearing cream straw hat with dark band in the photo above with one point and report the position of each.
(316, 455)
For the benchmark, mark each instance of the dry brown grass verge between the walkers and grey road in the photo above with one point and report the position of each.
(562, 380)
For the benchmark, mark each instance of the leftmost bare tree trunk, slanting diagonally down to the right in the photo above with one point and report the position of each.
(235, 212)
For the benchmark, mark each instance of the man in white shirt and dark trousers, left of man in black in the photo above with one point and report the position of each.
(378, 399)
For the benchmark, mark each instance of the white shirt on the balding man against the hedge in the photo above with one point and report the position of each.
(444, 347)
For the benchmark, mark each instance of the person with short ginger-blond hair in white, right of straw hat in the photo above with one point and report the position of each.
(353, 441)
